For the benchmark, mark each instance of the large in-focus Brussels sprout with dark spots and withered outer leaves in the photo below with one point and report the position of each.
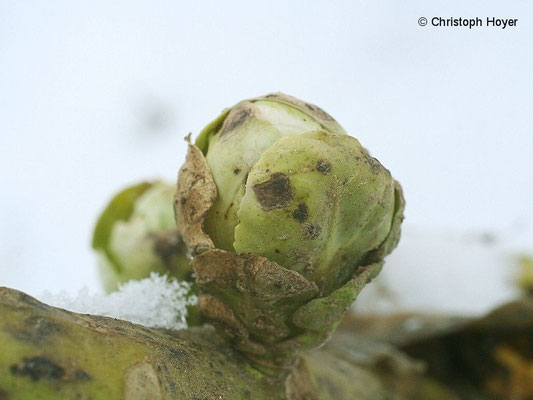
(287, 218)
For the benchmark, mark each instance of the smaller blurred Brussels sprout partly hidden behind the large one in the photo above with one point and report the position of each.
(136, 235)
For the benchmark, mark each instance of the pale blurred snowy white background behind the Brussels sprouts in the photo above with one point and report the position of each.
(98, 95)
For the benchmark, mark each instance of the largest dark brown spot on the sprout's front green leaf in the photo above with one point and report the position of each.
(274, 193)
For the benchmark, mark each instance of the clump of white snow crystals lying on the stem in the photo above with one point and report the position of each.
(157, 301)
